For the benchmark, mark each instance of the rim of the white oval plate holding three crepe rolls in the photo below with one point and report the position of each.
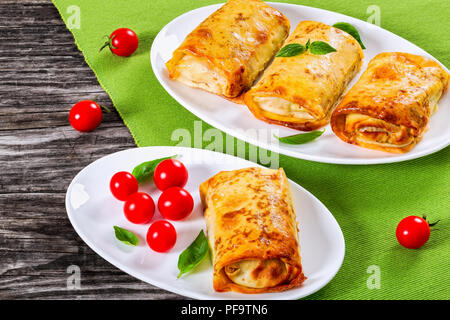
(389, 158)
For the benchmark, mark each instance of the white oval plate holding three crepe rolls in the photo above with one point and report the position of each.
(238, 121)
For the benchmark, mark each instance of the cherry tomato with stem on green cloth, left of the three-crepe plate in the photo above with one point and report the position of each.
(122, 42)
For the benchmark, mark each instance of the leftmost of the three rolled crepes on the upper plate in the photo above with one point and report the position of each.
(228, 50)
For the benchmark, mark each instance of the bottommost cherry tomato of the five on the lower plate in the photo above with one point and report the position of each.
(161, 236)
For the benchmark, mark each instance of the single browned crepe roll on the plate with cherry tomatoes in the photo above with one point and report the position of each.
(252, 231)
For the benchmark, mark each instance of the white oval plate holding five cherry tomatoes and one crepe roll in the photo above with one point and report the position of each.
(93, 212)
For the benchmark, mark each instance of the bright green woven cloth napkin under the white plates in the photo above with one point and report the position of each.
(367, 201)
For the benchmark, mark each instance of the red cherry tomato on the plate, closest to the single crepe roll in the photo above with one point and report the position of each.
(175, 203)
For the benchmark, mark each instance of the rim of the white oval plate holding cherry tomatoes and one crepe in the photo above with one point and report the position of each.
(118, 264)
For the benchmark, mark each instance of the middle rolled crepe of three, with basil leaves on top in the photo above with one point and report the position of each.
(300, 91)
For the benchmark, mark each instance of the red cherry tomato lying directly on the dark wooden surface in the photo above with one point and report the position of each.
(85, 116)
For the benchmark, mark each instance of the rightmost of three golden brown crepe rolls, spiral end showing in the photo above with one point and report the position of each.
(389, 107)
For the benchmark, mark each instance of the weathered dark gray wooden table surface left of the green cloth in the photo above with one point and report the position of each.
(42, 74)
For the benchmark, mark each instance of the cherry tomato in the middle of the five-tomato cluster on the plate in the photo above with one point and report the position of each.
(139, 208)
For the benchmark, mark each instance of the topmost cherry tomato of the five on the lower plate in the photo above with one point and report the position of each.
(170, 173)
